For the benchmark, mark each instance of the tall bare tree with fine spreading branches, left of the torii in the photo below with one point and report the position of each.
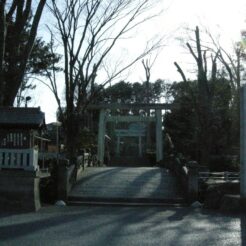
(88, 31)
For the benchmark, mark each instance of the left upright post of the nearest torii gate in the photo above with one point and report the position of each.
(101, 137)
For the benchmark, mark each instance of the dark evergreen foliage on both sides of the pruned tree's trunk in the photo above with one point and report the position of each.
(182, 124)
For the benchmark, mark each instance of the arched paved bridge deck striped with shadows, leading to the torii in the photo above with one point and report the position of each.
(131, 184)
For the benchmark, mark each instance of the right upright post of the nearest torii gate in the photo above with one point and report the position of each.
(159, 150)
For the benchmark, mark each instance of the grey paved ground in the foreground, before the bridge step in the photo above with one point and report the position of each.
(122, 226)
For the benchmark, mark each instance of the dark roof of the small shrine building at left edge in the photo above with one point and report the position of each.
(28, 117)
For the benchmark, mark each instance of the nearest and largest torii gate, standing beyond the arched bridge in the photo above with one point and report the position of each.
(104, 118)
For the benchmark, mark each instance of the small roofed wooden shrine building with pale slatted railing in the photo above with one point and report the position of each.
(20, 129)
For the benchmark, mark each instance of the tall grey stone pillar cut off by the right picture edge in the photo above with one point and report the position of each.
(243, 142)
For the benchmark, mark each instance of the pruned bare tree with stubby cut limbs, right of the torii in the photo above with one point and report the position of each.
(203, 100)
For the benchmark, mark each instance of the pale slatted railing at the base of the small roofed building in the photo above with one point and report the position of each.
(26, 159)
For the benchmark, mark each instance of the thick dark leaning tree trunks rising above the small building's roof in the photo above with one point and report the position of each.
(17, 17)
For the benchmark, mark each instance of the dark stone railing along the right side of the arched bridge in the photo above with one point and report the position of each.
(187, 174)
